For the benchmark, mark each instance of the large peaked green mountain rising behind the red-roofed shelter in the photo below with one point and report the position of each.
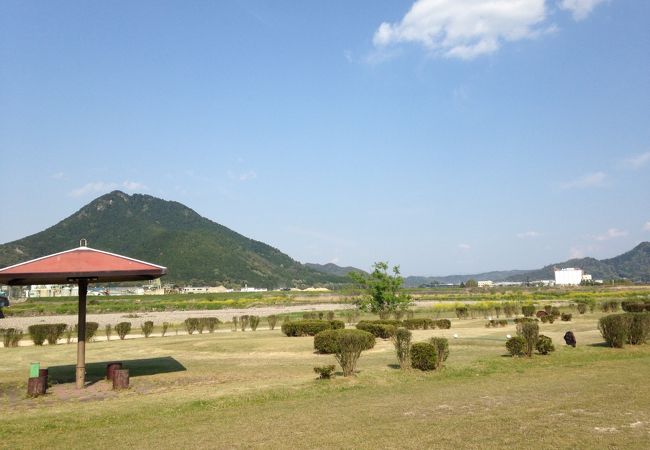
(194, 249)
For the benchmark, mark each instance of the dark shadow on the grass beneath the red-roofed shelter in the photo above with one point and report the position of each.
(97, 371)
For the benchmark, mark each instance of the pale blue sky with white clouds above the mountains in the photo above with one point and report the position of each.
(444, 136)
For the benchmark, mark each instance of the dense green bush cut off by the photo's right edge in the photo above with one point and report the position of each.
(627, 328)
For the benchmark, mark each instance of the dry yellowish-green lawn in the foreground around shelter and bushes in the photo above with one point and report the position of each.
(257, 389)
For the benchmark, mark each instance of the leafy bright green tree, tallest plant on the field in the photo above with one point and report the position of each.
(383, 290)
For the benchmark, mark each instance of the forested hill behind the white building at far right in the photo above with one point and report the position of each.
(633, 265)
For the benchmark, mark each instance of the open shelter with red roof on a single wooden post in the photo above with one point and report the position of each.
(80, 265)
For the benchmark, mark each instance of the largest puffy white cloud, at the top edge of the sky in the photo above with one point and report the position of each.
(464, 29)
